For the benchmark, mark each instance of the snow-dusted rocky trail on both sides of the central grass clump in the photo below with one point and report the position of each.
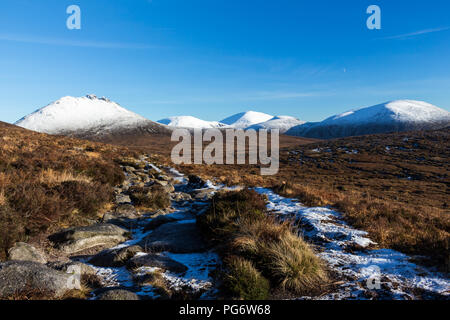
(160, 254)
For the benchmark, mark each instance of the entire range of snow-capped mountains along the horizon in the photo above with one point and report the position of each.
(93, 117)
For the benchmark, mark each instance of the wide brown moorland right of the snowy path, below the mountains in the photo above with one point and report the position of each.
(399, 196)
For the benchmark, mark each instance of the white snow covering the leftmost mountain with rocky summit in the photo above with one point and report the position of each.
(70, 114)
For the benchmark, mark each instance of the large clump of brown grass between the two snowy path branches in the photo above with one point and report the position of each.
(239, 224)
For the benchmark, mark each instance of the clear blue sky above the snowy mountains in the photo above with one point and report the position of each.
(213, 58)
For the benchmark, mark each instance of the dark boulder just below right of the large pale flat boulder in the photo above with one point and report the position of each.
(115, 257)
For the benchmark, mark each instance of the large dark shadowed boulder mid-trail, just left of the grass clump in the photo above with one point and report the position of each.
(175, 237)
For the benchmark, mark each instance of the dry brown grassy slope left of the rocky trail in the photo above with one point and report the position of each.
(48, 182)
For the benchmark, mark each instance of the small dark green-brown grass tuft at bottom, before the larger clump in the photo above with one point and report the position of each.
(244, 281)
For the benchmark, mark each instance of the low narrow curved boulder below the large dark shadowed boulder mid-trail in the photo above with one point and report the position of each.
(157, 261)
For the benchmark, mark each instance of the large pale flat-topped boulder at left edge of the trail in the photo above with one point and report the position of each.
(74, 240)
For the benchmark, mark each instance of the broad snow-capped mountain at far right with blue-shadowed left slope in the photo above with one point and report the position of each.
(394, 116)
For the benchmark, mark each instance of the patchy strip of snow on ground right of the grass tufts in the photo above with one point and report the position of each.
(348, 252)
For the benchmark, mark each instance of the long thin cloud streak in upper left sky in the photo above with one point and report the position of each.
(76, 43)
